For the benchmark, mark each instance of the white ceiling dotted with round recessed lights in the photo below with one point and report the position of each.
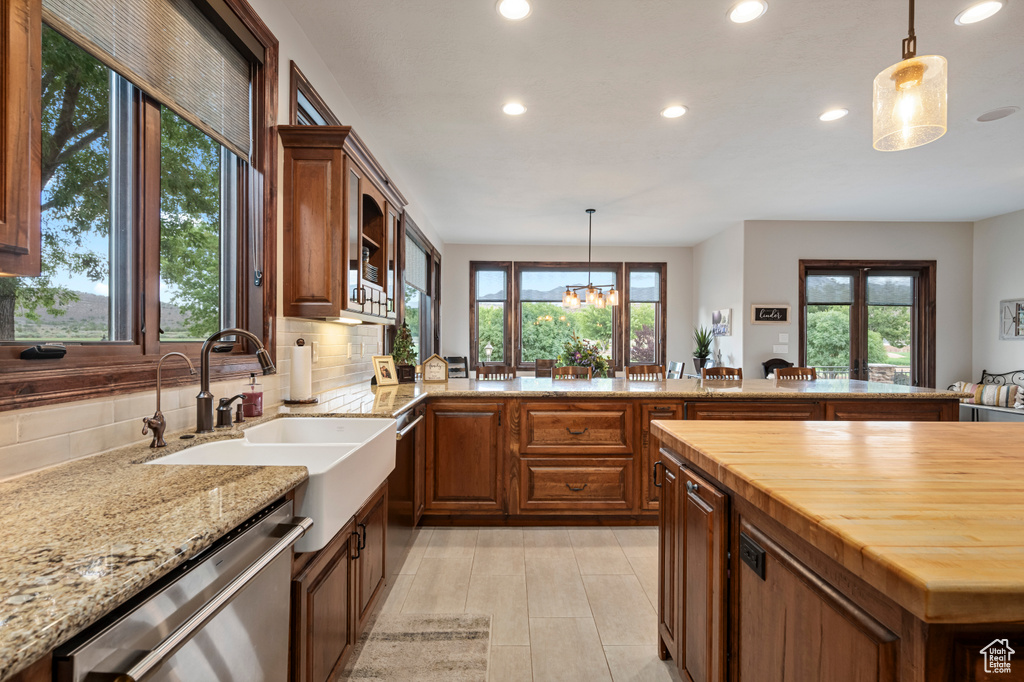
(433, 76)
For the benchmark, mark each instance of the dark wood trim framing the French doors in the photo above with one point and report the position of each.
(923, 363)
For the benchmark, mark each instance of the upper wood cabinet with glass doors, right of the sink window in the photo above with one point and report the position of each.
(342, 227)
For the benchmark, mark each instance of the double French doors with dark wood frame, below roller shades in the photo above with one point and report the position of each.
(872, 321)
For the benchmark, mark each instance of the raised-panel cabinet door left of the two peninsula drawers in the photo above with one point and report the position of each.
(465, 456)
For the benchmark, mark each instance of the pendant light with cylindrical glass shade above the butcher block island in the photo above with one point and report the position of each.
(910, 100)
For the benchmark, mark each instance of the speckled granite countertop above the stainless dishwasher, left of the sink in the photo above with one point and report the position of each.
(80, 539)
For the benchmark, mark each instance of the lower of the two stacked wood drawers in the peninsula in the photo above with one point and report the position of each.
(570, 485)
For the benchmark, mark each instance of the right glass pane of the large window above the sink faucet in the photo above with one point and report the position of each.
(191, 180)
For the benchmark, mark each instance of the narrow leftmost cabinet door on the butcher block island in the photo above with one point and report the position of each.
(669, 534)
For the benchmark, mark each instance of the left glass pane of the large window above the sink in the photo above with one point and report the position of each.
(84, 291)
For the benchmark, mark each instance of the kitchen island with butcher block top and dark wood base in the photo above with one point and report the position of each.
(842, 551)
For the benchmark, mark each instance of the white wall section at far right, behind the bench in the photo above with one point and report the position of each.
(999, 275)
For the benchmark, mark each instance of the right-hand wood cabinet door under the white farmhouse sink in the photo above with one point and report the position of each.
(371, 526)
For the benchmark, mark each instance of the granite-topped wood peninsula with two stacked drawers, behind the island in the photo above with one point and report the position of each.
(542, 451)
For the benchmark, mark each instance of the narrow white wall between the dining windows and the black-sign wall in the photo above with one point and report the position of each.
(718, 284)
